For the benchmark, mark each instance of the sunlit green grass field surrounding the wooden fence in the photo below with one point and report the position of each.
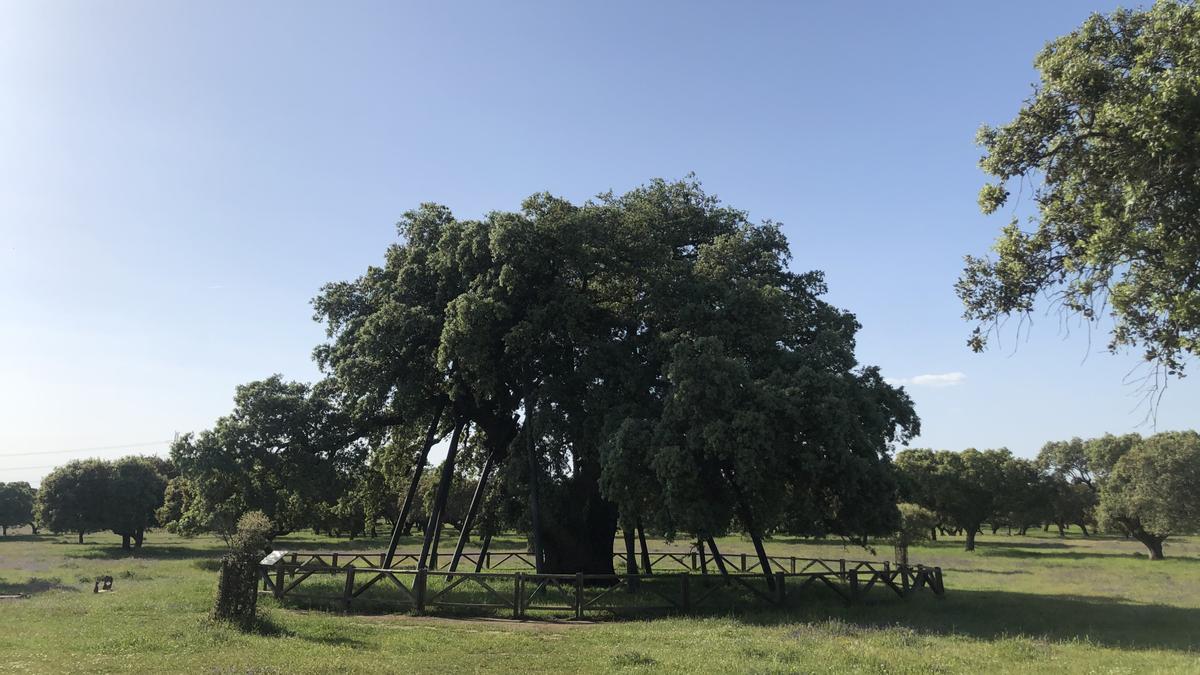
(1034, 604)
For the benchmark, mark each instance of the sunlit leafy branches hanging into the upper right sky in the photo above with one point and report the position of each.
(1109, 141)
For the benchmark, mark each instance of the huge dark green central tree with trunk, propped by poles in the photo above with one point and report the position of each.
(644, 357)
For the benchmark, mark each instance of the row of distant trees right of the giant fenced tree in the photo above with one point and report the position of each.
(1147, 489)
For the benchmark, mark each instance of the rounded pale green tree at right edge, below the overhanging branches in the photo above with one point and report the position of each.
(1154, 491)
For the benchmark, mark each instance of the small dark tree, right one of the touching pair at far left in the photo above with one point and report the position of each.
(136, 492)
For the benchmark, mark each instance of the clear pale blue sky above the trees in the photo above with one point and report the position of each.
(177, 182)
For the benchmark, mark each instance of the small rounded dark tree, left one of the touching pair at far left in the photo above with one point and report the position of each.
(75, 498)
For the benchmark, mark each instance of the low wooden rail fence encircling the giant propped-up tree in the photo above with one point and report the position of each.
(339, 581)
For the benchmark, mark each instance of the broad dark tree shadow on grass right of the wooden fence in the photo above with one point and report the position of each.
(993, 616)
